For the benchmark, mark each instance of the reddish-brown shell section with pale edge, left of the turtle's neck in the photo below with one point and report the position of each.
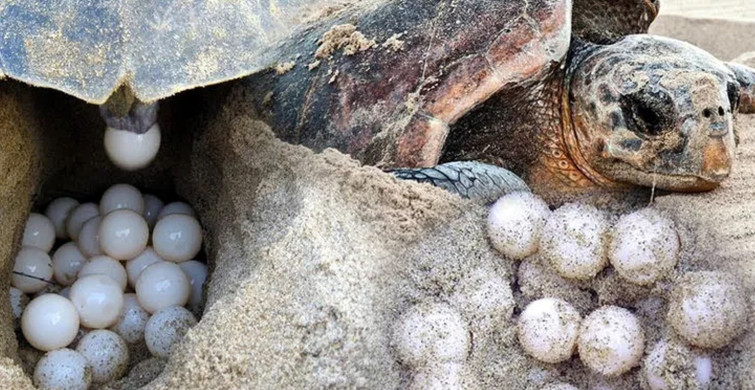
(392, 107)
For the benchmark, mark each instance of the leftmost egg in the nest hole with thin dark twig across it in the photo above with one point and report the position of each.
(32, 270)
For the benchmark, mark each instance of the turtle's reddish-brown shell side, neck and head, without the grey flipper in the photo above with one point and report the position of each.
(512, 84)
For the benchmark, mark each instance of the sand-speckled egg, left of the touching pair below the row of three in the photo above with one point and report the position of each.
(548, 329)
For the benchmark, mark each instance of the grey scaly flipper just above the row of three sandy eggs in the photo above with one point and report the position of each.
(469, 179)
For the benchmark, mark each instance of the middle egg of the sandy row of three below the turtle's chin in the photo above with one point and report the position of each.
(573, 241)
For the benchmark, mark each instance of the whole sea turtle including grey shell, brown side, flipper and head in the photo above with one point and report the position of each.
(566, 98)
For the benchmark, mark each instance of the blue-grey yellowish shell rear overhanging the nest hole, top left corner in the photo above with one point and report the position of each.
(89, 48)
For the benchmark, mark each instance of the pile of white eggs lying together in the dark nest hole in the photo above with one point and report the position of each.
(124, 267)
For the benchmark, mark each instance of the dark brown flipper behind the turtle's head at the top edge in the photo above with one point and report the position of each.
(607, 21)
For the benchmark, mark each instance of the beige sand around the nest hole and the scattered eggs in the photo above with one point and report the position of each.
(314, 258)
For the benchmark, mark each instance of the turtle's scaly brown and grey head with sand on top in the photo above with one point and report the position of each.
(652, 111)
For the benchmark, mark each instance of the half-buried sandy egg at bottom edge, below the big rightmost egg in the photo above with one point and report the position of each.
(670, 365)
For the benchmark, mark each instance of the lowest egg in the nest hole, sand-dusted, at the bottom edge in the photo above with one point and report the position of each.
(63, 369)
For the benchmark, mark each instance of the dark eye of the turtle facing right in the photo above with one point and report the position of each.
(647, 113)
